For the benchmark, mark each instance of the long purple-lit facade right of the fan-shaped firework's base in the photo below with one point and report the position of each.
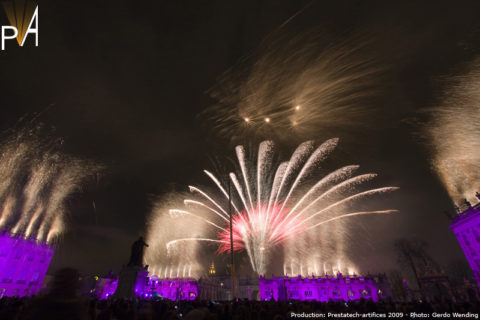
(318, 289)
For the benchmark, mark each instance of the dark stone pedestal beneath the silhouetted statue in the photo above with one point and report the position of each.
(131, 282)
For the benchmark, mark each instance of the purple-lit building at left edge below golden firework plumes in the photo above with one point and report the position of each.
(23, 265)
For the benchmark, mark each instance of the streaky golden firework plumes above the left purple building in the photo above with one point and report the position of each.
(36, 180)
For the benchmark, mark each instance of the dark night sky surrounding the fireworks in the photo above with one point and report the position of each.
(123, 82)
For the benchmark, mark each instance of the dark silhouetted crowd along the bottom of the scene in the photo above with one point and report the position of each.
(63, 302)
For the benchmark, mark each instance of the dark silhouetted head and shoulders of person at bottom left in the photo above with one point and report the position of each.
(62, 301)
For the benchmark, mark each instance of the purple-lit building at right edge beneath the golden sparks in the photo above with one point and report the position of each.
(466, 227)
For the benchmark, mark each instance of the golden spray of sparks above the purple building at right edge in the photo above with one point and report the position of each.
(454, 137)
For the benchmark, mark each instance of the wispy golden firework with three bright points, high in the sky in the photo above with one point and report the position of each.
(296, 85)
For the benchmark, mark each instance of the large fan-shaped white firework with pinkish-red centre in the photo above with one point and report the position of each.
(271, 206)
